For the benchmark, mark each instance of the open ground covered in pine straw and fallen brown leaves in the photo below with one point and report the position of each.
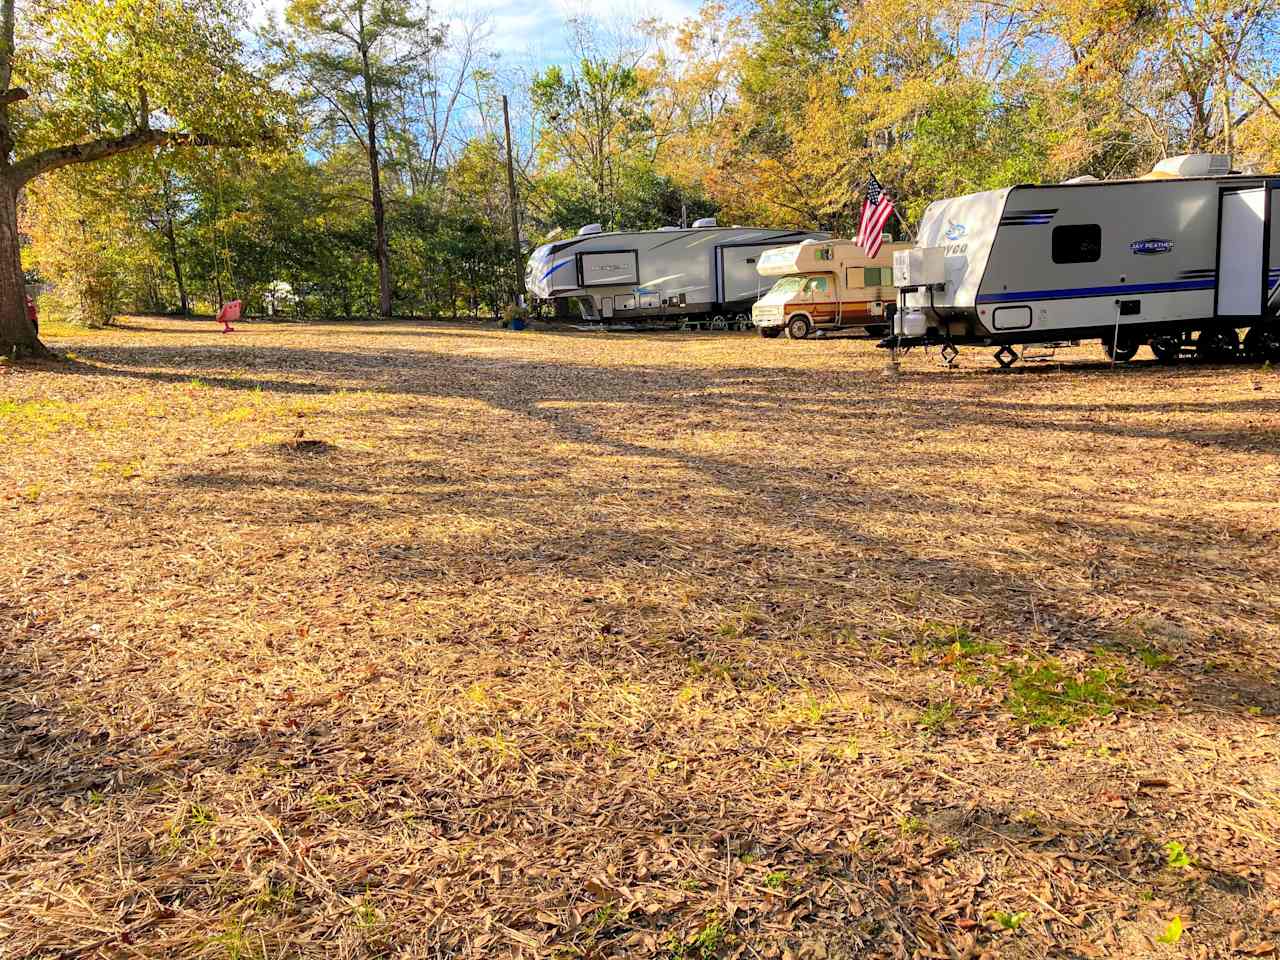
(624, 646)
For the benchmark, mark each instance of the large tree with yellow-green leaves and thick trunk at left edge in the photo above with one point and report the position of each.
(83, 81)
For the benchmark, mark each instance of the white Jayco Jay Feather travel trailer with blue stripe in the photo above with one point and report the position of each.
(1180, 259)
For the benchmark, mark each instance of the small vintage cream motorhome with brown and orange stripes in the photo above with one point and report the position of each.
(828, 286)
